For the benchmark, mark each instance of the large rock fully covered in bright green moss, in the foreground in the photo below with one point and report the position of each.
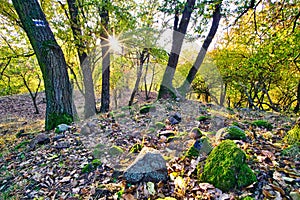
(226, 169)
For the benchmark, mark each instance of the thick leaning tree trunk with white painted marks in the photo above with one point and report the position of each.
(51, 60)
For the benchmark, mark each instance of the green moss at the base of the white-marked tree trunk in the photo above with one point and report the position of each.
(55, 119)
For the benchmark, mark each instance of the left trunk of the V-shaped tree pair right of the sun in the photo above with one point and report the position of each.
(166, 87)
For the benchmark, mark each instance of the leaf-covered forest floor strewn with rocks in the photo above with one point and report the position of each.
(67, 166)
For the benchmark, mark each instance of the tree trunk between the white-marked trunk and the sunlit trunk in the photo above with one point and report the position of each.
(89, 94)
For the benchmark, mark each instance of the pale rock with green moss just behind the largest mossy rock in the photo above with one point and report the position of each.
(231, 133)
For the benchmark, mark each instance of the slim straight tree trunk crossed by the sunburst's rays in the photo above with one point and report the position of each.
(105, 93)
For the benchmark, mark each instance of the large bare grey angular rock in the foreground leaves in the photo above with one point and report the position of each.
(148, 166)
